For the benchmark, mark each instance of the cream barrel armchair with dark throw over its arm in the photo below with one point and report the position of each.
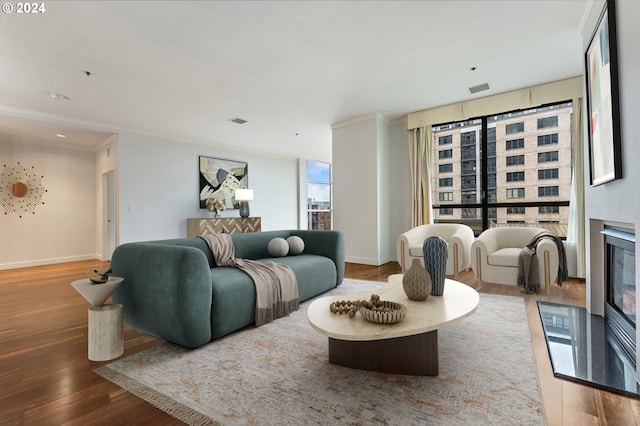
(496, 251)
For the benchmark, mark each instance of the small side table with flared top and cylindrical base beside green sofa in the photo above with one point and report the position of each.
(106, 338)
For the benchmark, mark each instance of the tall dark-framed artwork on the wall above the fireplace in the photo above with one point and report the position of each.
(605, 153)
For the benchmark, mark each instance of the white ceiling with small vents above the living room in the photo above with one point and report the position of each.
(290, 68)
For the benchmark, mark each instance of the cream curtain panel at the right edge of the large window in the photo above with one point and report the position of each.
(576, 231)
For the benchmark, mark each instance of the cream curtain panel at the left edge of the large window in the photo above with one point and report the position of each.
(420, 163)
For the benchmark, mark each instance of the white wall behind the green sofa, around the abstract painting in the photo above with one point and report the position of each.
(158, 187)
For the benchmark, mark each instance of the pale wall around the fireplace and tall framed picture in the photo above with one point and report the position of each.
(616, 202)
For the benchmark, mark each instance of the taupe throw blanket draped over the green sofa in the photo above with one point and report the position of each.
(276, 284)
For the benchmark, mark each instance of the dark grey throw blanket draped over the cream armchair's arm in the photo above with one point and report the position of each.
(528, 264)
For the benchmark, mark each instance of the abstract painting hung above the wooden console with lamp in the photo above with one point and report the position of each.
(219, 178)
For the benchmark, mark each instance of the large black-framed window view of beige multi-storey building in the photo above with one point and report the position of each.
(511, 169)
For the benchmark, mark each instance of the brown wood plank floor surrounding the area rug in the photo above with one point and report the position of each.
(46, 378)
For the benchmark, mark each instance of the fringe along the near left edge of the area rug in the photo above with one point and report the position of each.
(157, 399)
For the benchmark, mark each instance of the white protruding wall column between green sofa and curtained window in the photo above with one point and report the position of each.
(371, 187)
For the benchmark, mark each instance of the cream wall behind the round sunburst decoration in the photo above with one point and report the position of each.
(63, 228)
